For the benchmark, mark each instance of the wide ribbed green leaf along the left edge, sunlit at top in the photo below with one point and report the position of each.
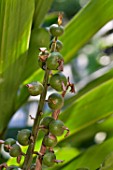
(16, 17)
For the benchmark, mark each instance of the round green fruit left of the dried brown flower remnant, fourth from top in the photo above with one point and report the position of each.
(57, 81)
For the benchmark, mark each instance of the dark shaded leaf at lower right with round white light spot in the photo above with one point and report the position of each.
(86, 137)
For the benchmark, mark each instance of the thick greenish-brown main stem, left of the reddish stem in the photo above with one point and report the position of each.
(35, 129)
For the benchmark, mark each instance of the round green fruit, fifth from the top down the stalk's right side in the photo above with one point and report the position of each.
(55, 101)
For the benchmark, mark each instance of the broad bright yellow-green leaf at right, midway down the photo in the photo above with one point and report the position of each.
(89, 108)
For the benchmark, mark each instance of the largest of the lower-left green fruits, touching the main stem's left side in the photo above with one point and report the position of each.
(23, 137)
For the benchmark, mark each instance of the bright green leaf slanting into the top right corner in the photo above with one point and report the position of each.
(84, 25)
